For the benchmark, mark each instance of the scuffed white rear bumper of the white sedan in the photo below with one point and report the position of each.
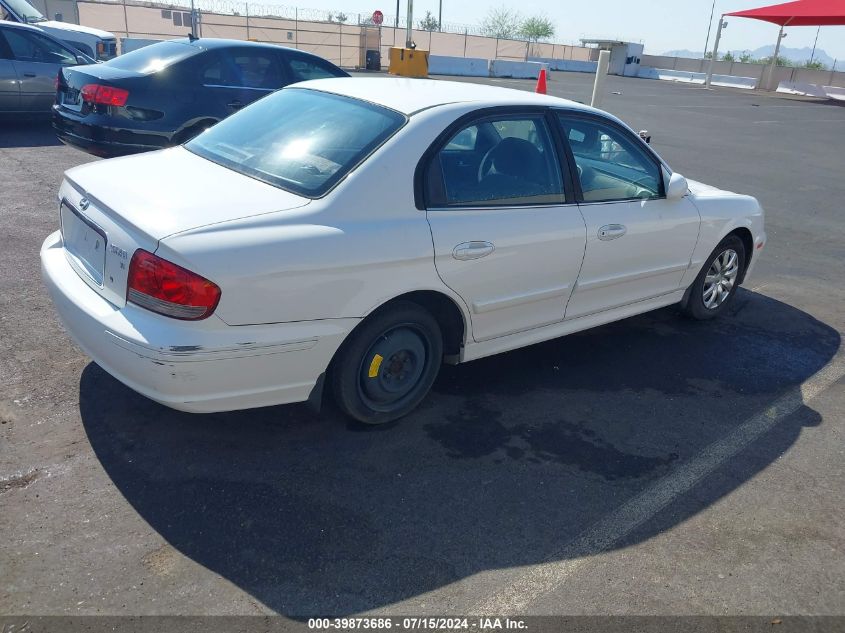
(200, 367)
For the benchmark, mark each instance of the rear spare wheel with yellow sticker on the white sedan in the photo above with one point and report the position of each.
(387, 366)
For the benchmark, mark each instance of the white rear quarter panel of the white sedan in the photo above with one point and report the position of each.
(341, 256)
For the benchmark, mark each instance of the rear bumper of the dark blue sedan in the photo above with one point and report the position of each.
(101, 137)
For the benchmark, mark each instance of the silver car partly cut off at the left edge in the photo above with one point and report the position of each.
(29, 64)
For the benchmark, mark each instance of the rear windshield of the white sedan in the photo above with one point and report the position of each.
(300, 140)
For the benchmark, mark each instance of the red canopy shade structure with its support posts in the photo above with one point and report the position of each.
(798, 13)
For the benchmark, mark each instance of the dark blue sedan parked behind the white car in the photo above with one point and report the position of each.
(166, 93)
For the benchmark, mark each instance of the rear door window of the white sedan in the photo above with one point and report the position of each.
(501, 161)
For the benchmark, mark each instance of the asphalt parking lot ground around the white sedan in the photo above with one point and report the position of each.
(653, 466)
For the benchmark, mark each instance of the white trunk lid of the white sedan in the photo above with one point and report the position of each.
(112, 208)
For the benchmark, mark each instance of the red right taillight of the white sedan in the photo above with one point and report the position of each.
(161, 286)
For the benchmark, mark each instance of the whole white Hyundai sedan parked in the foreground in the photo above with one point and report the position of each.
(359, 232)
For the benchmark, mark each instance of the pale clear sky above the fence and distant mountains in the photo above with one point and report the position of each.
(660, 24)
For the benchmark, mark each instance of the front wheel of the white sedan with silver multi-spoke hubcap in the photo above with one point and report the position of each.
(714, 289)
